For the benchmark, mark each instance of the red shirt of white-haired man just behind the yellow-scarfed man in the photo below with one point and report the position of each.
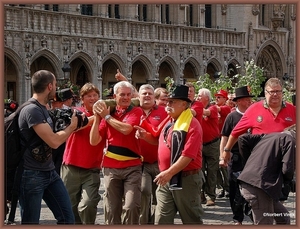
(210, 125)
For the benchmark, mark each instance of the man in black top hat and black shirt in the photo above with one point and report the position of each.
(243, 100)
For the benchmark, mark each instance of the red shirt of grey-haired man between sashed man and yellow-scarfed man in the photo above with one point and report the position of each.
(155, 117)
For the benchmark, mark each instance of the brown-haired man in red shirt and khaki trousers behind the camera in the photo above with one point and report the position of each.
(80, 170)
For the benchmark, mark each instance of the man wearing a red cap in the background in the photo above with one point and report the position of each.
(223, 110)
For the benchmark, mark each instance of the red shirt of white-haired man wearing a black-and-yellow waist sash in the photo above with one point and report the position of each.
(116, 138)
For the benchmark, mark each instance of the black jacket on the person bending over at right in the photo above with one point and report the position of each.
(270, 161)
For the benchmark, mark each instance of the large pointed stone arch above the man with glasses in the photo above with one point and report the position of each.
(271, 57)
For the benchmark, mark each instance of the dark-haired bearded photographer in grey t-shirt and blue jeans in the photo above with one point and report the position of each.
(39, 178)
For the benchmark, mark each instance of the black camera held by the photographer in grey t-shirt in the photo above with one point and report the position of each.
(61, 118)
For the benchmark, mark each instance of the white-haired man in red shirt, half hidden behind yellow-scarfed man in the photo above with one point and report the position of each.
(211, 144)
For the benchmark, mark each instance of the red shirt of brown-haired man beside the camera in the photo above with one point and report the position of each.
(79, 152)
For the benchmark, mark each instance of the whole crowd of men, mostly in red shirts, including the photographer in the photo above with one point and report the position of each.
(171, 151)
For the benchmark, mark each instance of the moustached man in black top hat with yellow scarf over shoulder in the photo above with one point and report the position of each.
(180, 162)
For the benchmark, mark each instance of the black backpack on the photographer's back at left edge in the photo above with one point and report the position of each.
(13, 154)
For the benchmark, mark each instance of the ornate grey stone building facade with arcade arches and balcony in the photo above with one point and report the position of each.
(146, 42)
